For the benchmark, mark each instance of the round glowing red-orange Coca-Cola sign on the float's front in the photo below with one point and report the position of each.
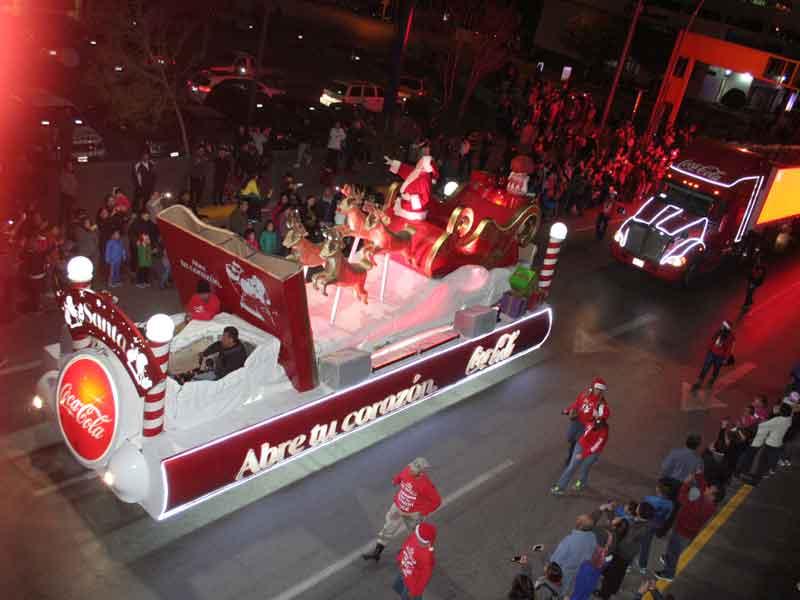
(87, 408)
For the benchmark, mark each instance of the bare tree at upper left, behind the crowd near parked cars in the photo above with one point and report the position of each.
(143, 57)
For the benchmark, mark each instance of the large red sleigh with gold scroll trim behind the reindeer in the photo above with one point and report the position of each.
(480, 224)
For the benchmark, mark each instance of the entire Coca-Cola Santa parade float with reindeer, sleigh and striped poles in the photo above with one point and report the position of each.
(321, 364)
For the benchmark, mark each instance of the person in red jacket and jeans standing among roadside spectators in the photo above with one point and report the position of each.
(697, 500)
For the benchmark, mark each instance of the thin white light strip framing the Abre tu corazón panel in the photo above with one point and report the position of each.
(234, 484)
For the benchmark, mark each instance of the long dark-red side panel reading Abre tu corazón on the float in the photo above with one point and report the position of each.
(199, 473)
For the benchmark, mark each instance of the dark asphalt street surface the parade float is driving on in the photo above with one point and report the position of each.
(495, 454)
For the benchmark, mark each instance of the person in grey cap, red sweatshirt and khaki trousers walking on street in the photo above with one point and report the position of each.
(415, 499)
